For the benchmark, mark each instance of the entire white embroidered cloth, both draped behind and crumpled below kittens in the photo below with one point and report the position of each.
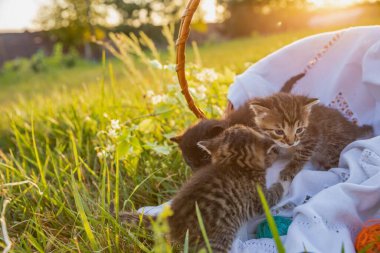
(328, 207)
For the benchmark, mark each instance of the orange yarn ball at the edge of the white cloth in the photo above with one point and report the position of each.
(368, 238)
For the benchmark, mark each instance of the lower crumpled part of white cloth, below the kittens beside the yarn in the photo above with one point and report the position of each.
(328, 207)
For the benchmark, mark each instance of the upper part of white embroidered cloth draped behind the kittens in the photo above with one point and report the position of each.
(343, 71)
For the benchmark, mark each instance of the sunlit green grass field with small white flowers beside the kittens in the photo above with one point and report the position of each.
(73, 142)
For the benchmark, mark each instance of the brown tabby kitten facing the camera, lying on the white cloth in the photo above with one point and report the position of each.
(305, 130)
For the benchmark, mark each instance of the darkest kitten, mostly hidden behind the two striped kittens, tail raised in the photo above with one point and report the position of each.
(205, 129)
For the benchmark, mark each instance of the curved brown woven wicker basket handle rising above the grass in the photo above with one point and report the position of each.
(183, 35)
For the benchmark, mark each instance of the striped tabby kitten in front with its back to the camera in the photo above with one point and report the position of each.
(225, 192)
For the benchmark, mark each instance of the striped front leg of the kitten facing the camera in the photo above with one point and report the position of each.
(302, 154)
